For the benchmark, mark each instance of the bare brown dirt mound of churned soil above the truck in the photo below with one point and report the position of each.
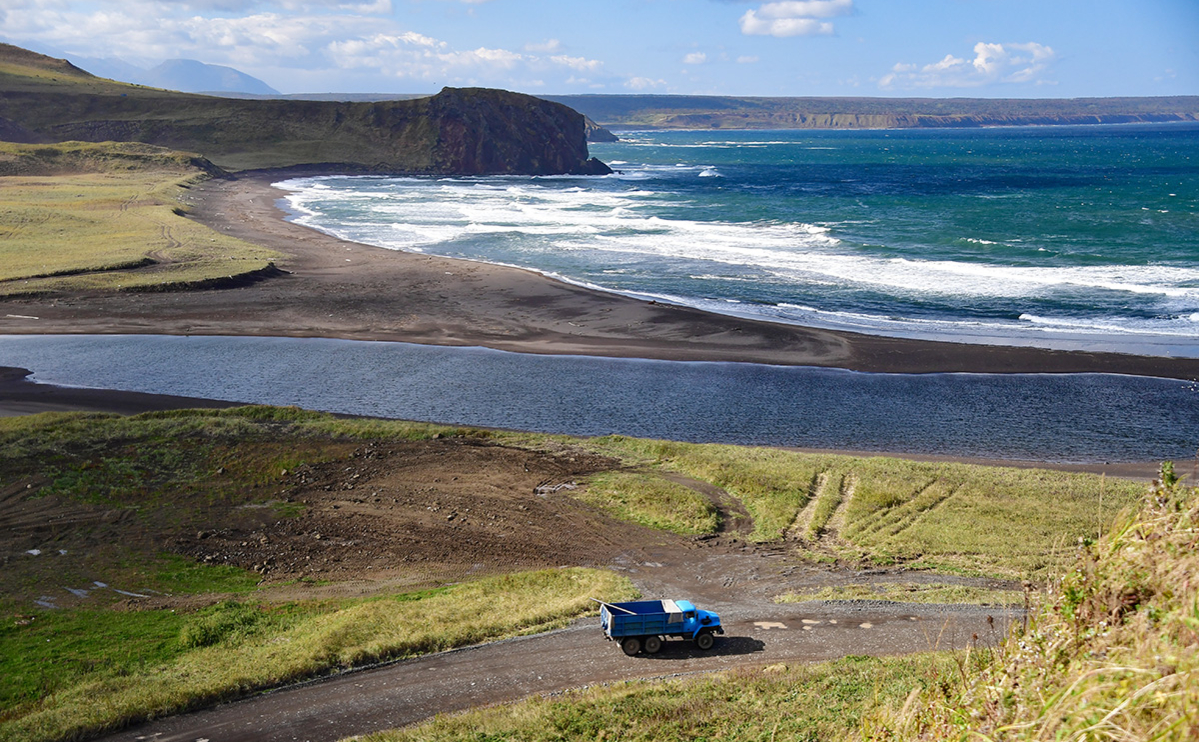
(430, 512)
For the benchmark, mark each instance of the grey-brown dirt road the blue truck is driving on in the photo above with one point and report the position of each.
(734, 581)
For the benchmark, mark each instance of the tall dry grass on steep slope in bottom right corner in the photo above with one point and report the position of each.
(1110, 653)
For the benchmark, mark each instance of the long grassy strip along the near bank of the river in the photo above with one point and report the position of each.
(959, 518)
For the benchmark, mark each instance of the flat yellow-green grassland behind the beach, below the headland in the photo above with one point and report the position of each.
(107, 218)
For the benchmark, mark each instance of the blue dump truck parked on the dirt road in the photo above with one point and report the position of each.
(643, 625)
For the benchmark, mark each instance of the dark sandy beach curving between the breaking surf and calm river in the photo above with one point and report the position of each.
(336, 289)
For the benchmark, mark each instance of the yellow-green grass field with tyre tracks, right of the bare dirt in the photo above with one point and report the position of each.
(959, 518)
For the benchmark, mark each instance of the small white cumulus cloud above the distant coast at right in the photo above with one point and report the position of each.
(993, 63)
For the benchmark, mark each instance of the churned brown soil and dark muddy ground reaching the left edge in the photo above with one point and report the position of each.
(381, 515)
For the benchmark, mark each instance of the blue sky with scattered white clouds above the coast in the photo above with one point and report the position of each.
(894, 49)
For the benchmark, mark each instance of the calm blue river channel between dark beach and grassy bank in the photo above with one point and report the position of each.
(1079, 418)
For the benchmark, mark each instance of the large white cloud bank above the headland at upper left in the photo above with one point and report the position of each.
(299, 40)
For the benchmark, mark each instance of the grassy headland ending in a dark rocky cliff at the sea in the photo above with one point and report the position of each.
(456, 132)
